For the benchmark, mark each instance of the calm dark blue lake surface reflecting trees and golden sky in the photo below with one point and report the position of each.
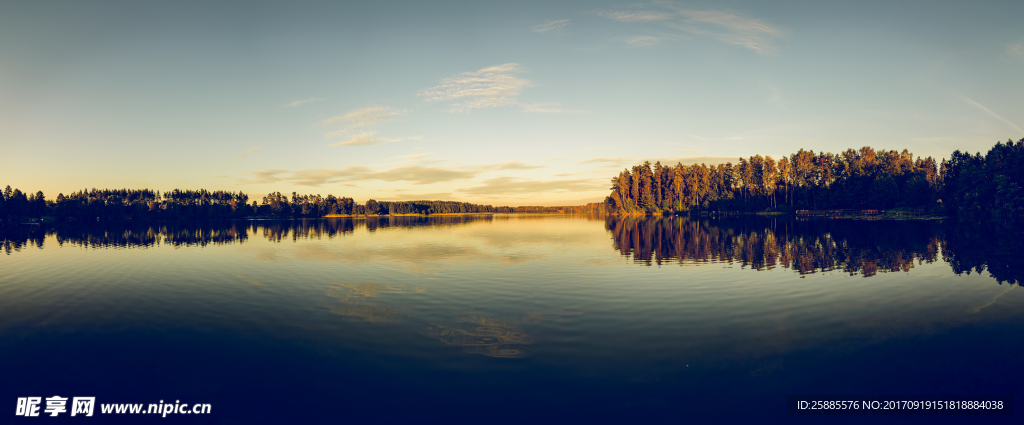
(508, 319)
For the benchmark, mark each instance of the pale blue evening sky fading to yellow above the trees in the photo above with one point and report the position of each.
(500, 103)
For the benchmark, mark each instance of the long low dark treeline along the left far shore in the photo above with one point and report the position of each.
(17, 206)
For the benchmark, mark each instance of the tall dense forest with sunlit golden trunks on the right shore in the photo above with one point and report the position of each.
(865, 179)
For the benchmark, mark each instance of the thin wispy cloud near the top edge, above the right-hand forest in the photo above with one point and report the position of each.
(734, 29)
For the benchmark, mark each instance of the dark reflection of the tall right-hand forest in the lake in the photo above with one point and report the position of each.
(865, 248)
